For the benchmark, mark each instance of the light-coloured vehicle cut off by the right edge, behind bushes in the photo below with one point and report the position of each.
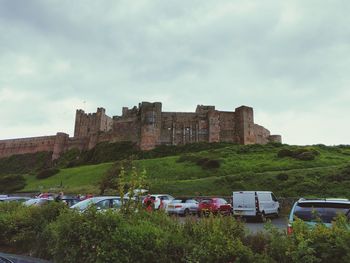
(313, 211)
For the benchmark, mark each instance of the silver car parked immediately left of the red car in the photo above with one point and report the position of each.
(182, 206)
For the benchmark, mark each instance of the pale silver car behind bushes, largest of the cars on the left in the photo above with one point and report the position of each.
(100, 202)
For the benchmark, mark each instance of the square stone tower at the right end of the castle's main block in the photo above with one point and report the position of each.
(244, 125)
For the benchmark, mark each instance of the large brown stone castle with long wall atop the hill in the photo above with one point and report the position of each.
(148, 126)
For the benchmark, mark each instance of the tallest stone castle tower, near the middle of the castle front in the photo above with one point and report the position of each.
(150, 124)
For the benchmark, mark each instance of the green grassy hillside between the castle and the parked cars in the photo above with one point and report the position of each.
(223, 168)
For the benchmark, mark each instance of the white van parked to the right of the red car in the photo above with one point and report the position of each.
(259, 204)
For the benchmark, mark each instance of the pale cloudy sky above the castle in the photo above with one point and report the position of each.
(289, 60)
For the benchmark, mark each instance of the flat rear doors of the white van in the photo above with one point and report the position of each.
(244, 203)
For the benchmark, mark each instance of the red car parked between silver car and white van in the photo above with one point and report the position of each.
(214, 206)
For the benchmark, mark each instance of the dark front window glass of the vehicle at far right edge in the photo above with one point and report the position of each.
(324, 212)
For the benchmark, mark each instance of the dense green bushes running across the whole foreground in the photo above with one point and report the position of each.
(60, 234)
